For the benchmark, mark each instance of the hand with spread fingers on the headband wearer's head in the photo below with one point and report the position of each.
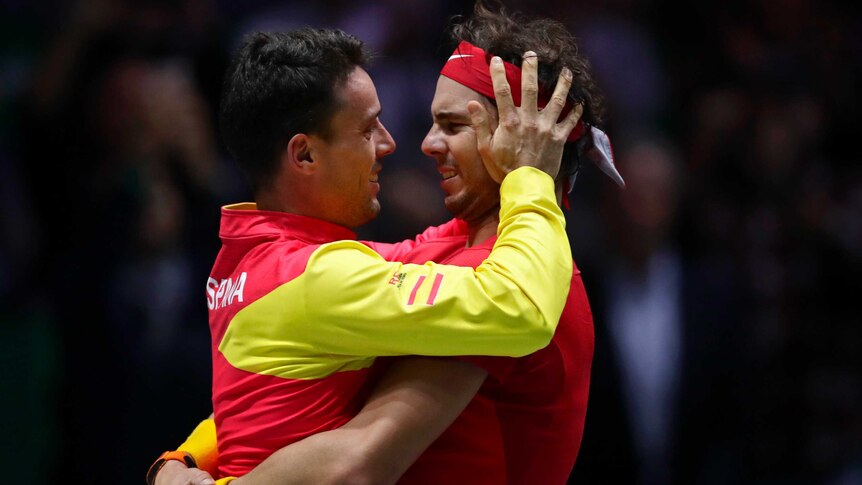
(525, 136)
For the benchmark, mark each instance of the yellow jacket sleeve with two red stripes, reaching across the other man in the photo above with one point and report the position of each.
(351, 302)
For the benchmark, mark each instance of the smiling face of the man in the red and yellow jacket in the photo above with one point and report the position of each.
(350, 156)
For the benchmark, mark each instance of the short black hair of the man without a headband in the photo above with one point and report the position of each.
(280, 84)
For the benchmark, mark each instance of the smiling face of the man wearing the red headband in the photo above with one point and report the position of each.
(471, 194)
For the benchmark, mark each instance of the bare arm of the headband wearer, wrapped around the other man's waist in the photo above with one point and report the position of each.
(413, 404)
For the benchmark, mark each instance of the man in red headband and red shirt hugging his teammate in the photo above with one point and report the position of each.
(525, 423)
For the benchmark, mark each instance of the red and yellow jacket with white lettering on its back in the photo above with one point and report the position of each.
(299, 311)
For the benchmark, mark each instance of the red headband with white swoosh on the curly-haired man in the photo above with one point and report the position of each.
(470, 65)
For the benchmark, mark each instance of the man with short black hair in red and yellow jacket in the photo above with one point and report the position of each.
(299, 311)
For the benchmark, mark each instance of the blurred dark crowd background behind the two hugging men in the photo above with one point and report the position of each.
(724, 280)
